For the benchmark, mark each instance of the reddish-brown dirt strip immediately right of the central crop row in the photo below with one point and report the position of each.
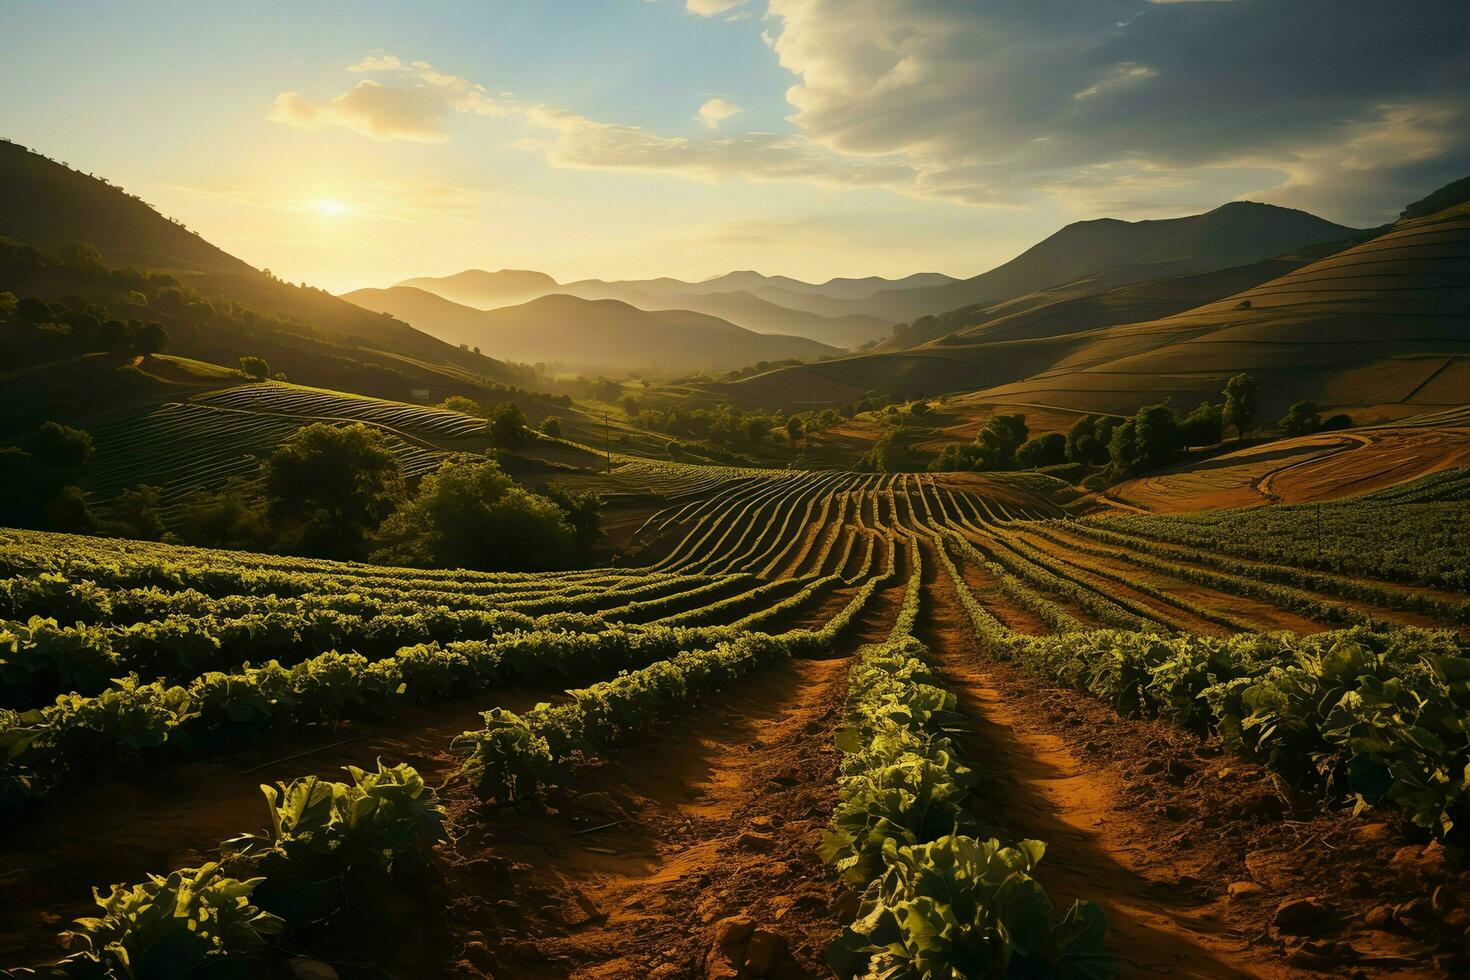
(1188, 850)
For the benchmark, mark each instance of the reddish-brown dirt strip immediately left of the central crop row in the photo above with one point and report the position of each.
(636, 872)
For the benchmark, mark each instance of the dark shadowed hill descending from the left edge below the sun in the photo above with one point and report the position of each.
(308, 333)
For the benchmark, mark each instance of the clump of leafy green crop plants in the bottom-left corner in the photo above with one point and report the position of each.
(273, 891)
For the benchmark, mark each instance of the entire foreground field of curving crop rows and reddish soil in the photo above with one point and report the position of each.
(820, 705)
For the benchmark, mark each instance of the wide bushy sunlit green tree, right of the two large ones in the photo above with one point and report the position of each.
(470, 515)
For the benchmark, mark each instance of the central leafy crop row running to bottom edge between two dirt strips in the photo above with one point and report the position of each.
(936, 901)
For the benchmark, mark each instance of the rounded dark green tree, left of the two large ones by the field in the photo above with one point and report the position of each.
(327, 487)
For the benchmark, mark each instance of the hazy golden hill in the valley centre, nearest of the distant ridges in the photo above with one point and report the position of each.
(592, 336)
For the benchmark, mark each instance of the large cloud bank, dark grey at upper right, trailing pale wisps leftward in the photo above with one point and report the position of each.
(1111, 107)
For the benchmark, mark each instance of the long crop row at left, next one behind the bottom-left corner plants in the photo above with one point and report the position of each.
(137, 724)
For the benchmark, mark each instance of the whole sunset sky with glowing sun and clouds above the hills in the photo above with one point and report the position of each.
(359, 143)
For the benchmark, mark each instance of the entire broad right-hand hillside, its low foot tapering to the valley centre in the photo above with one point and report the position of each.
(1377, 324)
